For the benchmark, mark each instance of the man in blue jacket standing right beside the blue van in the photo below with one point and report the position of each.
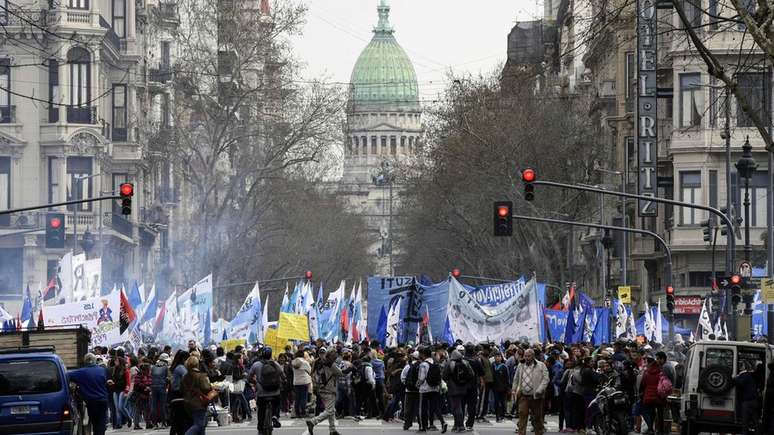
(92, 387)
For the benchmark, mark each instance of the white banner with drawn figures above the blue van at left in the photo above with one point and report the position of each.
(100, 315)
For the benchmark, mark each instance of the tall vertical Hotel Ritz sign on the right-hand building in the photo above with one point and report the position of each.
(647, 107)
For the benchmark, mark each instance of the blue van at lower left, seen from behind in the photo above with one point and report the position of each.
(35, 396)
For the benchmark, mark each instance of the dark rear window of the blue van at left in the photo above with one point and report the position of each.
(29, 377)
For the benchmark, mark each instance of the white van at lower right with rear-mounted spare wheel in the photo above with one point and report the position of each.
(708, 396)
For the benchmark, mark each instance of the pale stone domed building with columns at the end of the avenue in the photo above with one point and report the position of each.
(384, 126)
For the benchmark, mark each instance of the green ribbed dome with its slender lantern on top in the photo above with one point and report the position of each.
(384, 74)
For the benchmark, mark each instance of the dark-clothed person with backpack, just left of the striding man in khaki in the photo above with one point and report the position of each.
(268, 378)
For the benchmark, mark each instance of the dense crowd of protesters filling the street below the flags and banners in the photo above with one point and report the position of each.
(423, 385)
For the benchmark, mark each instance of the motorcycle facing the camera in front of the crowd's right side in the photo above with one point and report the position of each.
(609, 411)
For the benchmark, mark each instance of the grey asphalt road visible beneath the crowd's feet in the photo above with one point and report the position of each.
(349, 427)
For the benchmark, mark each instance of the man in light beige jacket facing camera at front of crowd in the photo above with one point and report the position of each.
(529, 385)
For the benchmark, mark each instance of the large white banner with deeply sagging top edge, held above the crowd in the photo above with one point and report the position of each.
(471, 322)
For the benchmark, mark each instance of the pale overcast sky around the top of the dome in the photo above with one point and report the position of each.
(465, 35)
